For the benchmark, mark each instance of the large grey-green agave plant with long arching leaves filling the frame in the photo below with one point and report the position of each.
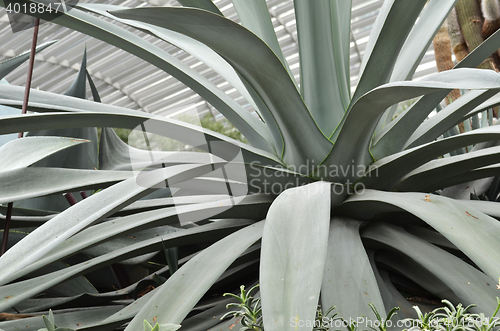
(329, 203)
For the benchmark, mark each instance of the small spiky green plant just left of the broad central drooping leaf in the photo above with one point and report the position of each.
(250, 310)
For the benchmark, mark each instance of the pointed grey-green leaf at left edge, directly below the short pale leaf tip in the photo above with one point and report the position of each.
(26, 183)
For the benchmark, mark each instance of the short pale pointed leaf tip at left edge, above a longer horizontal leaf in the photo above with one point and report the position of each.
(21, 153)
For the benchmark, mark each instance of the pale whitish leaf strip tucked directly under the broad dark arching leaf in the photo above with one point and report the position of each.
(250, 126)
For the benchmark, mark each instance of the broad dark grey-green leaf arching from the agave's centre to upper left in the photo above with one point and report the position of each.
(302, 142)
